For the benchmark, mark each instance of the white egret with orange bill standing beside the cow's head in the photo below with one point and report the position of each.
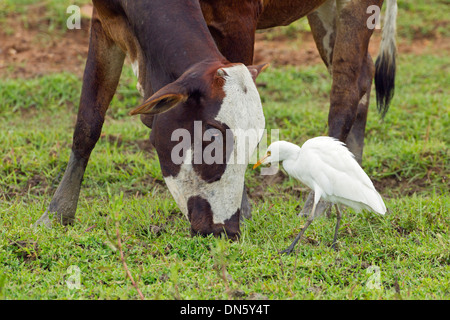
(326, 166)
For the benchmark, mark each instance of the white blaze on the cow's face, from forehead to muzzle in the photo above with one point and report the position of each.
(241, 110)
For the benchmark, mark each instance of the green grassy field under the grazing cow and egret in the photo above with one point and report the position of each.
(407, 156)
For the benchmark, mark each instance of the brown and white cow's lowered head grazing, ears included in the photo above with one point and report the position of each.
(197, 121)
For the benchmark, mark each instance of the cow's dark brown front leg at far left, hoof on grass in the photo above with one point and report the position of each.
(101, 76)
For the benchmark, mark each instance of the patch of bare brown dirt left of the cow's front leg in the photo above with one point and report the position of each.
(27, 52)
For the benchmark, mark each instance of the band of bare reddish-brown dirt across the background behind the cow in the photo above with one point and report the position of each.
(29, 51)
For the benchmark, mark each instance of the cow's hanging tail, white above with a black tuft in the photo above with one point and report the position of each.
(385, 65)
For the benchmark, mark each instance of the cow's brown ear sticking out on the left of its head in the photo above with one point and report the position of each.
(164, 99)
